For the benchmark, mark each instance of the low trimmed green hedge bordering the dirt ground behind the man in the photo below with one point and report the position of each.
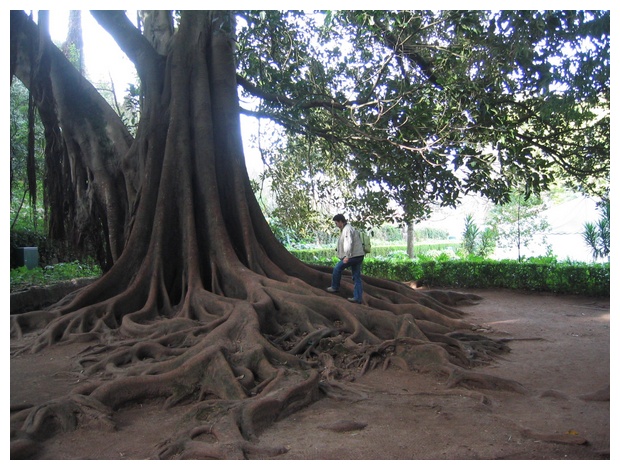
(556, 277)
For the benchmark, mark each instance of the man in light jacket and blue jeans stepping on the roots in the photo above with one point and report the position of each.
(351, 254)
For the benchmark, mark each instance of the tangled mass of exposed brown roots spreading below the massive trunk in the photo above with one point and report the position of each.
(247, 363)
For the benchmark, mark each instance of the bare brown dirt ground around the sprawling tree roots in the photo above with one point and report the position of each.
(560, 354)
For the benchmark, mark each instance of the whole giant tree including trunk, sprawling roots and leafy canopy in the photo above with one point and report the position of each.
(201, 303)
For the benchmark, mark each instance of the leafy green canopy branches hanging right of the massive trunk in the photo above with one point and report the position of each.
(426, 106)
